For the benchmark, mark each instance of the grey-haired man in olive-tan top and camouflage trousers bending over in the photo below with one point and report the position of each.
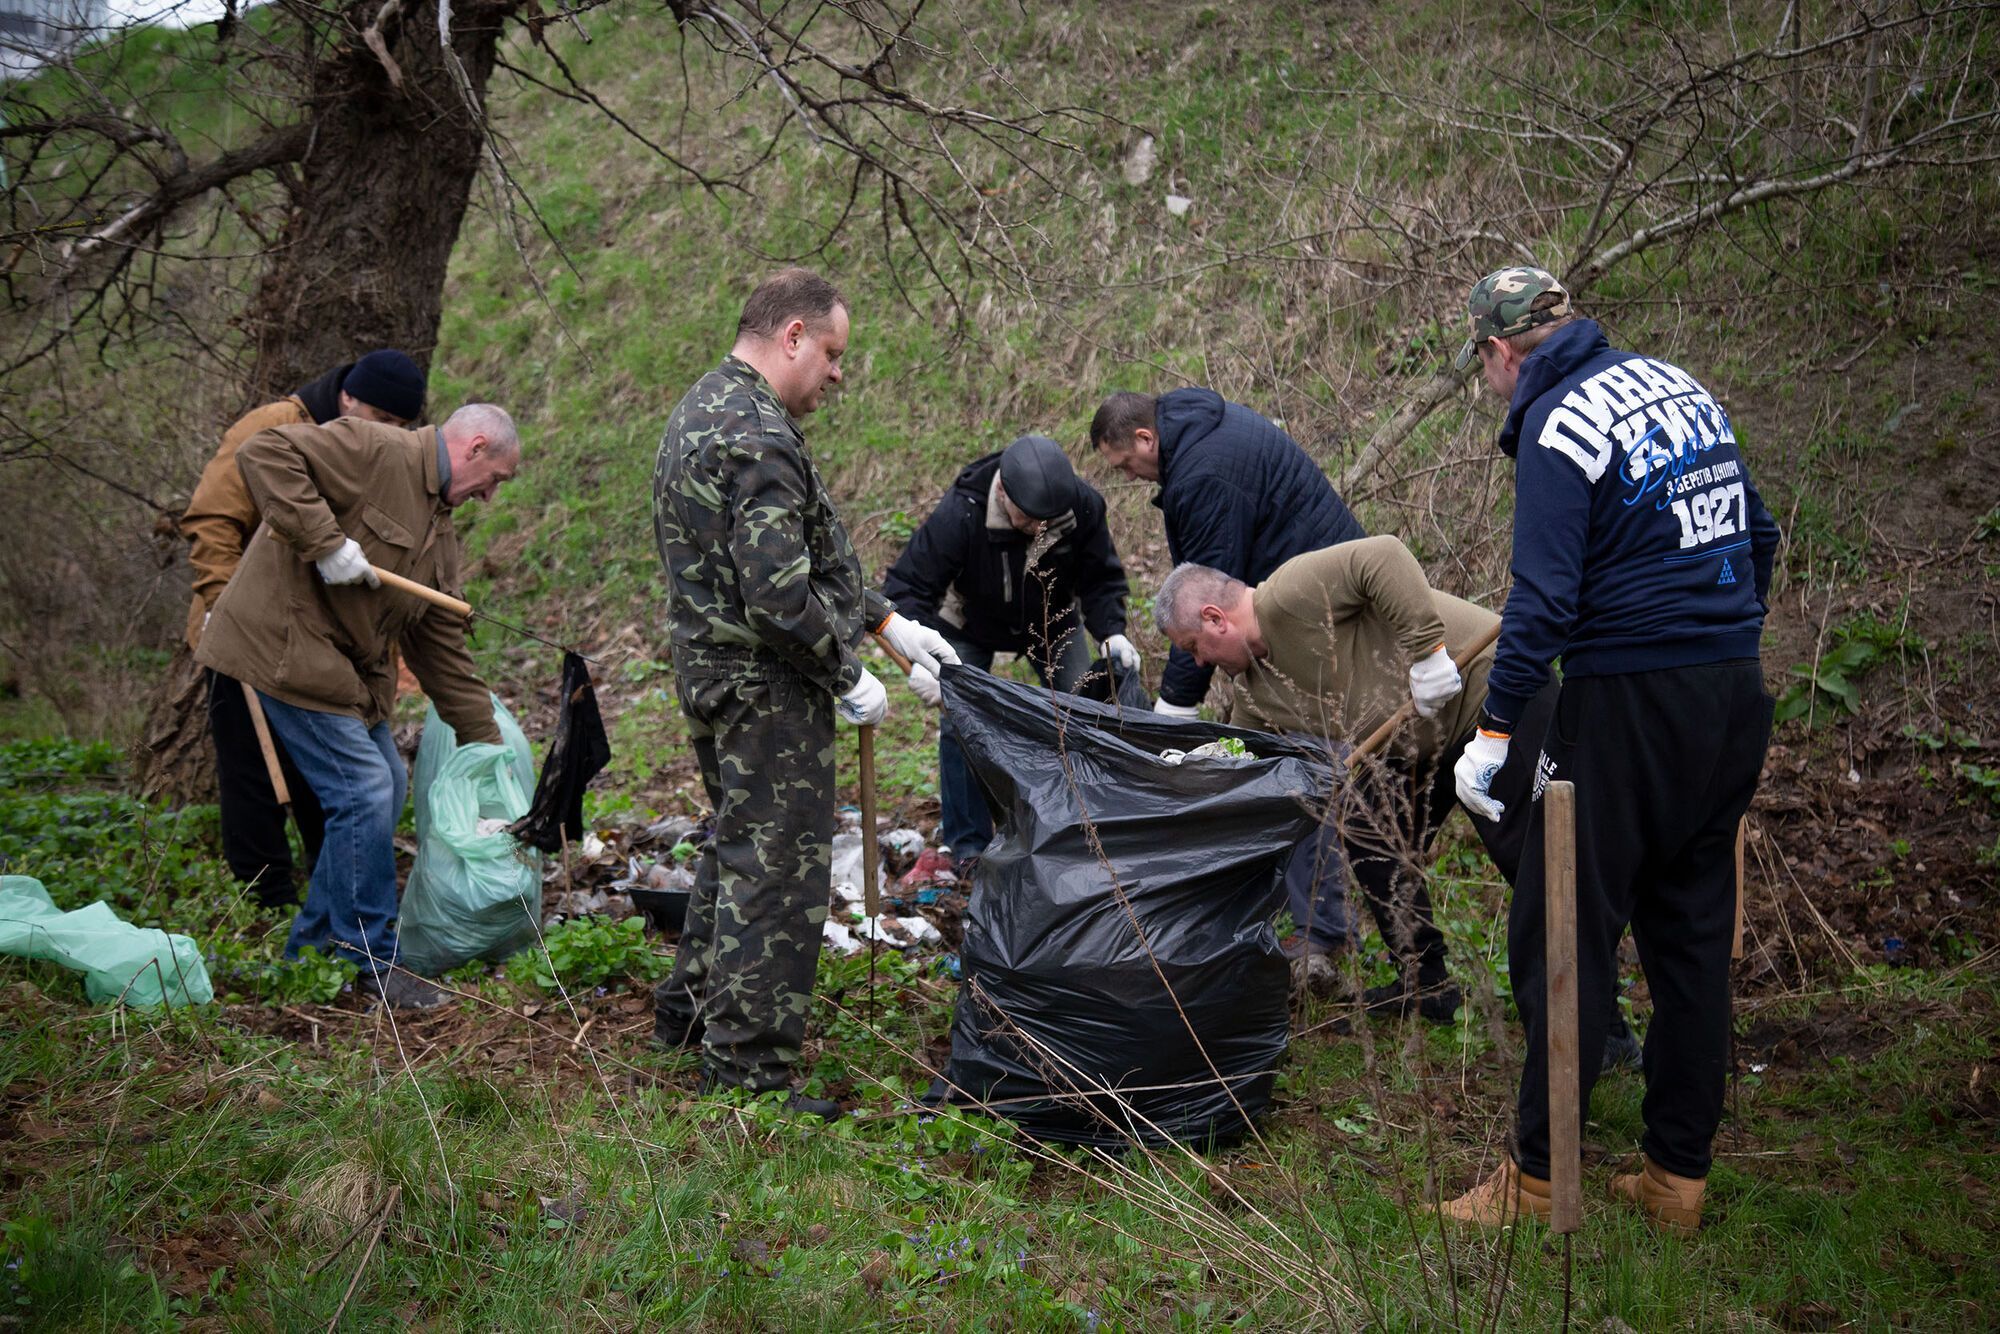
(1331, 645)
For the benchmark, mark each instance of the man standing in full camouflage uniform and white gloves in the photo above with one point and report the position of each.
(767, 609)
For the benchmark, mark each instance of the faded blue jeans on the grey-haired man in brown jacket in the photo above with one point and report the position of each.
(361, 781)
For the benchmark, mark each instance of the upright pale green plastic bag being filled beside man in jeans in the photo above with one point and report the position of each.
(471, 895)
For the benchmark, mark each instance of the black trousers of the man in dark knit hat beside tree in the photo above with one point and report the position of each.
(253, 821)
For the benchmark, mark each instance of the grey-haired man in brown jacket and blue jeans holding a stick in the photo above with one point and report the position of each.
(309, 627)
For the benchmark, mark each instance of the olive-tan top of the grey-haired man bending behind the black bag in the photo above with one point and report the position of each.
(1343, 627)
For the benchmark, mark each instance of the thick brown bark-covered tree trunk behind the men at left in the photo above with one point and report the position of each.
(361, 265)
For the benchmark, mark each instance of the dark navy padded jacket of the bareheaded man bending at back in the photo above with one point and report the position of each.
(1241, 497)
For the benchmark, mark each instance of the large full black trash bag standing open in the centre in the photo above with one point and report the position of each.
(1061, 999)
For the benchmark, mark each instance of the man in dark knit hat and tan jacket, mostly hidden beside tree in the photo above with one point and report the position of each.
(383, 387)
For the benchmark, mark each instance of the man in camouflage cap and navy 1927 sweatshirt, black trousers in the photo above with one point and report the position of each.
(1643, 559)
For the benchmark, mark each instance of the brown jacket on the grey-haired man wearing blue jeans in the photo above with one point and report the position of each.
(291, 635)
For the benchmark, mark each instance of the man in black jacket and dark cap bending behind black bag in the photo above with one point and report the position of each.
(1015, 559)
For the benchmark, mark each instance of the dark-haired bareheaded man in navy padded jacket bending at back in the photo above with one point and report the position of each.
(1239, 495)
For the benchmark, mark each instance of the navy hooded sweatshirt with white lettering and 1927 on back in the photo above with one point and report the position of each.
(1639, 539)
